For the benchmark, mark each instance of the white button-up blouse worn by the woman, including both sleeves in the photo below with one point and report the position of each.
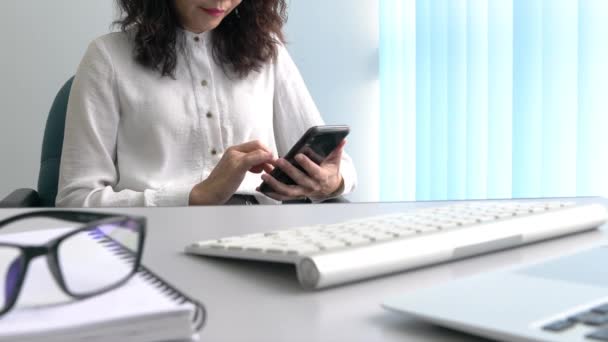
(134, 138)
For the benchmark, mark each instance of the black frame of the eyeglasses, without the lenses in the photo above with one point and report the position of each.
(50, 248)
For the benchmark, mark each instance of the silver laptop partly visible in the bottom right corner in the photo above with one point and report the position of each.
(563, 299)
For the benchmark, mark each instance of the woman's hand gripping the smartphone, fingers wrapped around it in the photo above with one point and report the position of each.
(319, 181)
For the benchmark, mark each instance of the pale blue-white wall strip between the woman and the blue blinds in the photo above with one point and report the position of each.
(335, 45)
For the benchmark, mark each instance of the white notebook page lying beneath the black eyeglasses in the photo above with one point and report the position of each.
(42, 307)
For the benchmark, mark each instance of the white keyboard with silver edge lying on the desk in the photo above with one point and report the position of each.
(332, 254)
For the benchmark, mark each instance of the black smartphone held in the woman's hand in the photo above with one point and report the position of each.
(317, 143)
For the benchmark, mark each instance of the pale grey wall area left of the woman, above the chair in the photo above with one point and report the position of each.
(42, 43)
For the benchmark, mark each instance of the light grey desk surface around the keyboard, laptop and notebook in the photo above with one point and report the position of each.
(251, 301)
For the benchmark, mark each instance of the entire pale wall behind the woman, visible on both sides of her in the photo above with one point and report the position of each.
(333, 42)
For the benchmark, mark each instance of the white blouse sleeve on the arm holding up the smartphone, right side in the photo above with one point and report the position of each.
(295, 112)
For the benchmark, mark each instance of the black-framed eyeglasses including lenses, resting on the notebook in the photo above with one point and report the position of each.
(116, 242)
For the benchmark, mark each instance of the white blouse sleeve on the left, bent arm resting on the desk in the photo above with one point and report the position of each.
(88, 174)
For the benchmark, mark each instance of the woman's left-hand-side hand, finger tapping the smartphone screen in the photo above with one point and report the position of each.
(229, 173)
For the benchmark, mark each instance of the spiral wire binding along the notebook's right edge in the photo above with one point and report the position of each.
(200, 313)
